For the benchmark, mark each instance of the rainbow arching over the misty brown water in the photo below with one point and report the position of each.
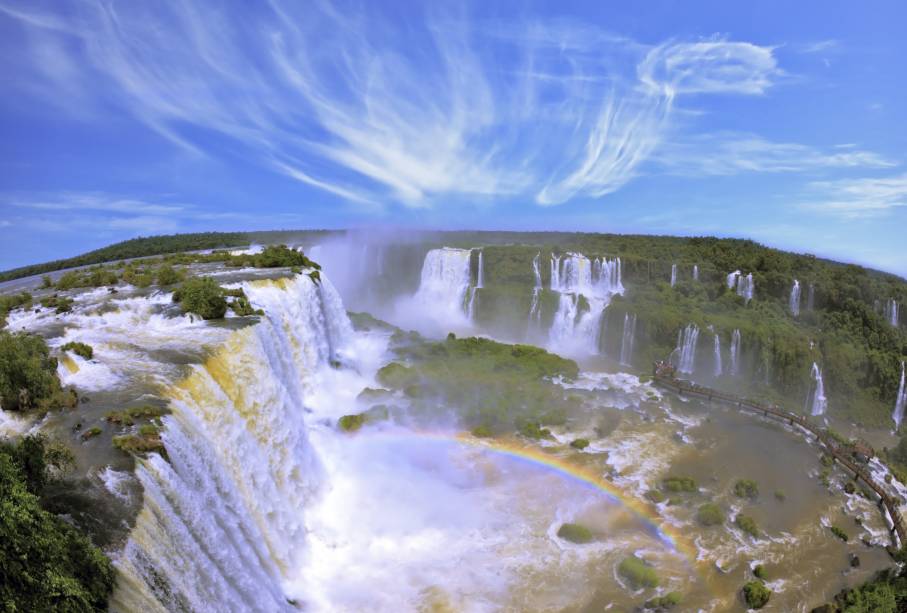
(672, 538)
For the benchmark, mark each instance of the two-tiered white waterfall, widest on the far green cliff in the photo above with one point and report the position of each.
(581, 283)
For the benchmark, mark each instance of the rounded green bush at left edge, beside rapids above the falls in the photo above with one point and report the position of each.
(28, 374)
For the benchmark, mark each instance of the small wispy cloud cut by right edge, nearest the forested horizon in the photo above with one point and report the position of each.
(855, 198)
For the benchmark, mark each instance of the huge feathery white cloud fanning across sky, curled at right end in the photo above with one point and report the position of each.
(369, 110)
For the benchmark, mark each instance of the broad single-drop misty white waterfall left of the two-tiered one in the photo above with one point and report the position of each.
(445, 283)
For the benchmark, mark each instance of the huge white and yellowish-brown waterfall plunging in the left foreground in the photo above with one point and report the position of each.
(222, 522)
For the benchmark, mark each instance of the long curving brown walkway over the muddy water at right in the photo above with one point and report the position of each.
(843, 454)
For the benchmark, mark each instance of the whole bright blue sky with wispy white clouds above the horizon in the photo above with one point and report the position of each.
(778, 121)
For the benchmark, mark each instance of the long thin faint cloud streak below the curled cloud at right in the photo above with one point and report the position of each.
(727, 153)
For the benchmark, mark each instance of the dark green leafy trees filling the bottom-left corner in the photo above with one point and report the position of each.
(45, 564)
